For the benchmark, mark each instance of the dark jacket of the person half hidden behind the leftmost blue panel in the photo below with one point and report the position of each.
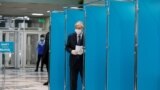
(46, 50)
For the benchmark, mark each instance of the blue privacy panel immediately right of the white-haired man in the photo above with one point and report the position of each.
(96, 53)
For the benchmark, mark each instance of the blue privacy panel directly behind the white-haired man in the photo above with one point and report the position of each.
(73, 15)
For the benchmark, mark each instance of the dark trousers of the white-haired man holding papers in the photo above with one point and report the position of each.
(75, 70)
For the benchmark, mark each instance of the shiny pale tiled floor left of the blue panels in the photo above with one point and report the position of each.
(22, 79)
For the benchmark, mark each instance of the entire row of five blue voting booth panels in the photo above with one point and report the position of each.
(122, 46)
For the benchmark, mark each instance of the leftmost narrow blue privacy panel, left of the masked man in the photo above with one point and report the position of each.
(57, 61)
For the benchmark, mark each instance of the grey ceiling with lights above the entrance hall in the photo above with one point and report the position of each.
(26, 8)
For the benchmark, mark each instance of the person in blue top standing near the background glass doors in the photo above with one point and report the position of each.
(40, 49)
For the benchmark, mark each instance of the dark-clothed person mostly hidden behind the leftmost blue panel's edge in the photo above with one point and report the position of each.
(45, 59)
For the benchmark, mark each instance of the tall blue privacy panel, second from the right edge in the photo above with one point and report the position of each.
(121, 46)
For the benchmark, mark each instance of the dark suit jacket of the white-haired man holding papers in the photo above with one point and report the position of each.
(71, 44)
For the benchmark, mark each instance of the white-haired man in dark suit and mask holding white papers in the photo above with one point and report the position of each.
(74, 46)
